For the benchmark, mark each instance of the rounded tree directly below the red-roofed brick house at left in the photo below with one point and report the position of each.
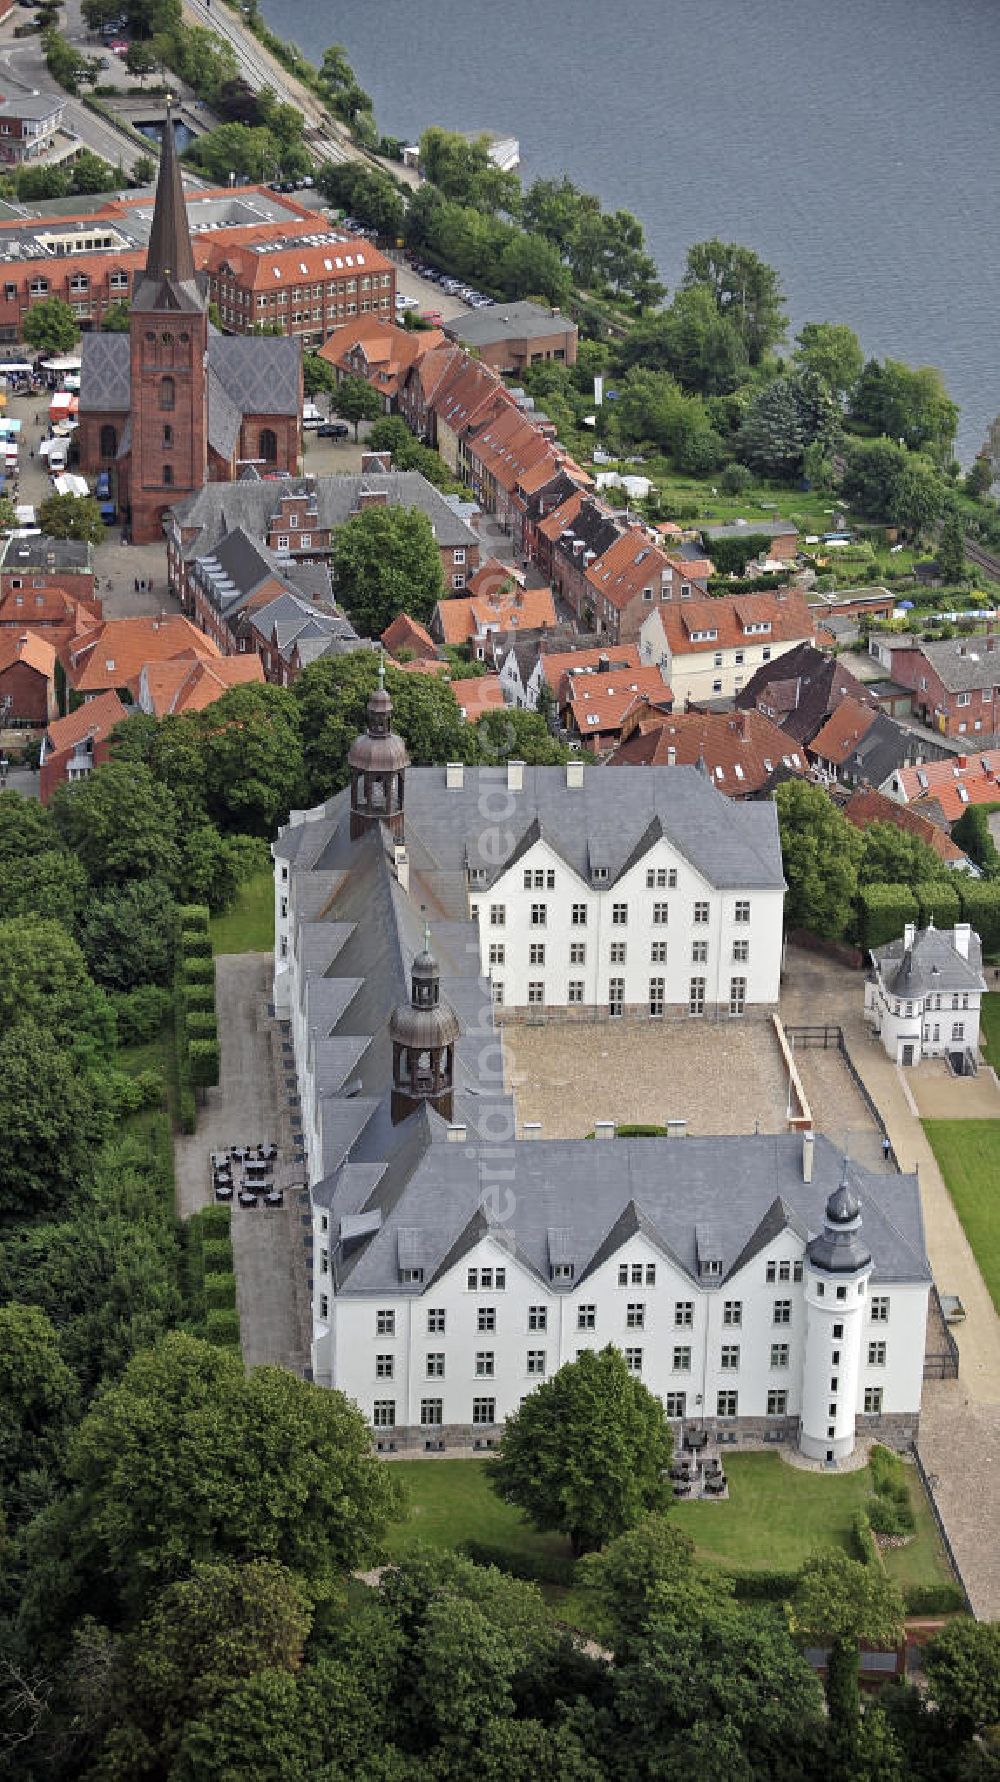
(120, 824)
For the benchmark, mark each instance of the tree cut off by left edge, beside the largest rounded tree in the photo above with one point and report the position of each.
(38, 1398)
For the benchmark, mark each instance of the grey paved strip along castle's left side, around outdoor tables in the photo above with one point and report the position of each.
(268, 1250)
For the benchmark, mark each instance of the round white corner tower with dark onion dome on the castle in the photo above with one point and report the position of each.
(839, 1266)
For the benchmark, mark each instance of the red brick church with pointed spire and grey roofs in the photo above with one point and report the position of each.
(174, 405)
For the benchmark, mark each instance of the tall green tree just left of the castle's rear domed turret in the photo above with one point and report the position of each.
(254, 765)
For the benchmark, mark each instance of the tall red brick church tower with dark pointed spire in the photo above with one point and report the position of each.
(168, 363)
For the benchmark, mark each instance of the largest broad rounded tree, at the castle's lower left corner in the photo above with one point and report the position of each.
(188, 1457)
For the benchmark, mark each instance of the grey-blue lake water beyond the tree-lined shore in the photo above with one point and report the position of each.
(857, 147)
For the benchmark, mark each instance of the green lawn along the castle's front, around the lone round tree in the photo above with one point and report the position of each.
(776, 1517)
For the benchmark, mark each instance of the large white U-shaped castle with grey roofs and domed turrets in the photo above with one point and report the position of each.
(757, 1284)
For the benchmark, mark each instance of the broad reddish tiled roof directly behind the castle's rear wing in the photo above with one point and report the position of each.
(741, 749)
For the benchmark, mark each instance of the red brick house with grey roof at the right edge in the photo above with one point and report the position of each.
(956, 685)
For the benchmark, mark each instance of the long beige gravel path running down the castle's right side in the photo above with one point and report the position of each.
(960, 1425)
